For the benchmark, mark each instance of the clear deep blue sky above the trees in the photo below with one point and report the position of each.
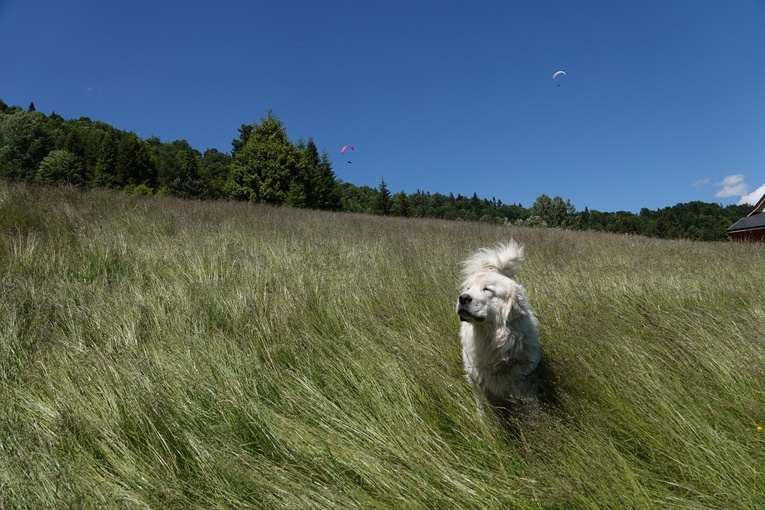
(663, 101)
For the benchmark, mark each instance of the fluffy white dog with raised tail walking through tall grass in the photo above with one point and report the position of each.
(500, 344)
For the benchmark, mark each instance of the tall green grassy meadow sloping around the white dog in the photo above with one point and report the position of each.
(157, 353)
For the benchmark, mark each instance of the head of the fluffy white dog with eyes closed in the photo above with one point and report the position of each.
(490, 299)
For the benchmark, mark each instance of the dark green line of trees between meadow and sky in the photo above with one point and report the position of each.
(264, 165)
